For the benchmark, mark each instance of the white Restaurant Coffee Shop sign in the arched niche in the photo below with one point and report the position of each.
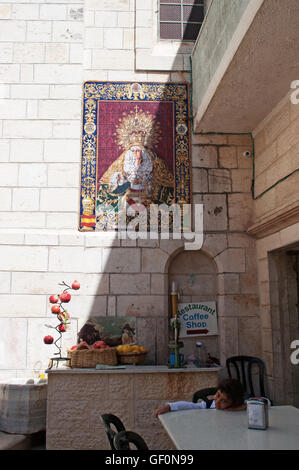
(198, 319)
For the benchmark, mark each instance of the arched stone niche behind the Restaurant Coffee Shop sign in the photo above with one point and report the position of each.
(196, 276)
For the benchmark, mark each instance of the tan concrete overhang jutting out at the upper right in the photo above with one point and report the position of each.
(255, 71)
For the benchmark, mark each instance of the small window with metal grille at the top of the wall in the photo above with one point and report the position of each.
(181, 19)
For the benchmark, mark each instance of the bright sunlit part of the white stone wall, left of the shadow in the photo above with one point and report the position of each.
(47, 49)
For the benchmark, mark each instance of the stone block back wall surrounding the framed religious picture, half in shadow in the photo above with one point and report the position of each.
(47, 50)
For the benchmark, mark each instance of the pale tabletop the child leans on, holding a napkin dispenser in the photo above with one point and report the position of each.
(227, 430)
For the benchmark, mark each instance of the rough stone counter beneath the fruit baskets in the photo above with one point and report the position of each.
(77, 398)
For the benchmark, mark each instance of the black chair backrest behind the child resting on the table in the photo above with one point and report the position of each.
(243, 365)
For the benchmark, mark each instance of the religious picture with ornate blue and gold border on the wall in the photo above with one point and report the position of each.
(135, 156)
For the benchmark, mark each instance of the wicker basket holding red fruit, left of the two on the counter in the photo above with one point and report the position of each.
(89, 358)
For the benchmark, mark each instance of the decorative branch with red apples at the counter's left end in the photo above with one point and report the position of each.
(58, 309)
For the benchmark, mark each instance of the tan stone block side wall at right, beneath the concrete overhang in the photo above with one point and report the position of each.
(276, 156)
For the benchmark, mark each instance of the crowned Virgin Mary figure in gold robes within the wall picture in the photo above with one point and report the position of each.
(138, 177)
